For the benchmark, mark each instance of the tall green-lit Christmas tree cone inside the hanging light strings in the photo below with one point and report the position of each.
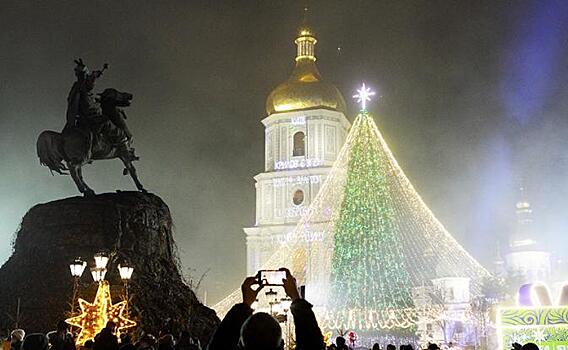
(368, 269)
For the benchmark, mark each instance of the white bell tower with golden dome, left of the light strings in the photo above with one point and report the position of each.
(304, 132)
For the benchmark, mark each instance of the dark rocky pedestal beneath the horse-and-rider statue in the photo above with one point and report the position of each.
(130, 226)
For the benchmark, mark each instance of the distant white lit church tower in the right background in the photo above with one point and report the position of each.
(527, 258)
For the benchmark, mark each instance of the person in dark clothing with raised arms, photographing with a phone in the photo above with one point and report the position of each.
(241, 327)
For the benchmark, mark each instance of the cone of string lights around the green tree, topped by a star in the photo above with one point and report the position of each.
(380, 240)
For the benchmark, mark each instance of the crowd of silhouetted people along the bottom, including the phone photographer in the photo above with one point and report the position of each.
(240, 329)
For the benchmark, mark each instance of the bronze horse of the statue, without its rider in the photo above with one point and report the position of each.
(94, 139)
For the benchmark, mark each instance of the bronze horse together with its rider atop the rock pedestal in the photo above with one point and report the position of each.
(95, 129)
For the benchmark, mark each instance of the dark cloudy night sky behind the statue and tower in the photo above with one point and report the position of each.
(474, 97)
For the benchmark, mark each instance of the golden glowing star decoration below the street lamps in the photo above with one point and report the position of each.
(94, 316)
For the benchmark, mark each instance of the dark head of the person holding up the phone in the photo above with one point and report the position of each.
(261, 332)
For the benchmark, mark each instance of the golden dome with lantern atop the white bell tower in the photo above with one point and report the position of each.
(305, 89)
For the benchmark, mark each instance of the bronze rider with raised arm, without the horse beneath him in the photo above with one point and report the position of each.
(83, 110)
